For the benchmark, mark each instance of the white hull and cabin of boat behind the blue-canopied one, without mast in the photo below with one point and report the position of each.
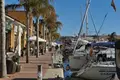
(78, 59)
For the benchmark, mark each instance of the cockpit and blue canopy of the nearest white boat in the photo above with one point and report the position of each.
(104, 51)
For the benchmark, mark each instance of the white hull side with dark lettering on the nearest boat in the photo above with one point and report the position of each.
(98, 73)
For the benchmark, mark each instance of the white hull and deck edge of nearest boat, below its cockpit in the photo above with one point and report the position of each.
(98, 71)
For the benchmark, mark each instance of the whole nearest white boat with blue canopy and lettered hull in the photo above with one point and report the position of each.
(102, 63)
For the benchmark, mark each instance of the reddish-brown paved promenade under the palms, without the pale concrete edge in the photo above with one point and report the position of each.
(29, 70)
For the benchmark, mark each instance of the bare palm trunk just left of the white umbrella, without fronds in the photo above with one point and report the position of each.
(28, 47)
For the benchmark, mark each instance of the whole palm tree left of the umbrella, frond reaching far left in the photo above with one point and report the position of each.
(28, 5)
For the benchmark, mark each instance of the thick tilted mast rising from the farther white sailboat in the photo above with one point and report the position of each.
(81, 27)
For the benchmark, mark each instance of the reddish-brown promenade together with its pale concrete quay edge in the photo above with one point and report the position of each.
(29, 70)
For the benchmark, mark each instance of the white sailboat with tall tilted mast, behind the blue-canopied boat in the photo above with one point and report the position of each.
(79, 53)
